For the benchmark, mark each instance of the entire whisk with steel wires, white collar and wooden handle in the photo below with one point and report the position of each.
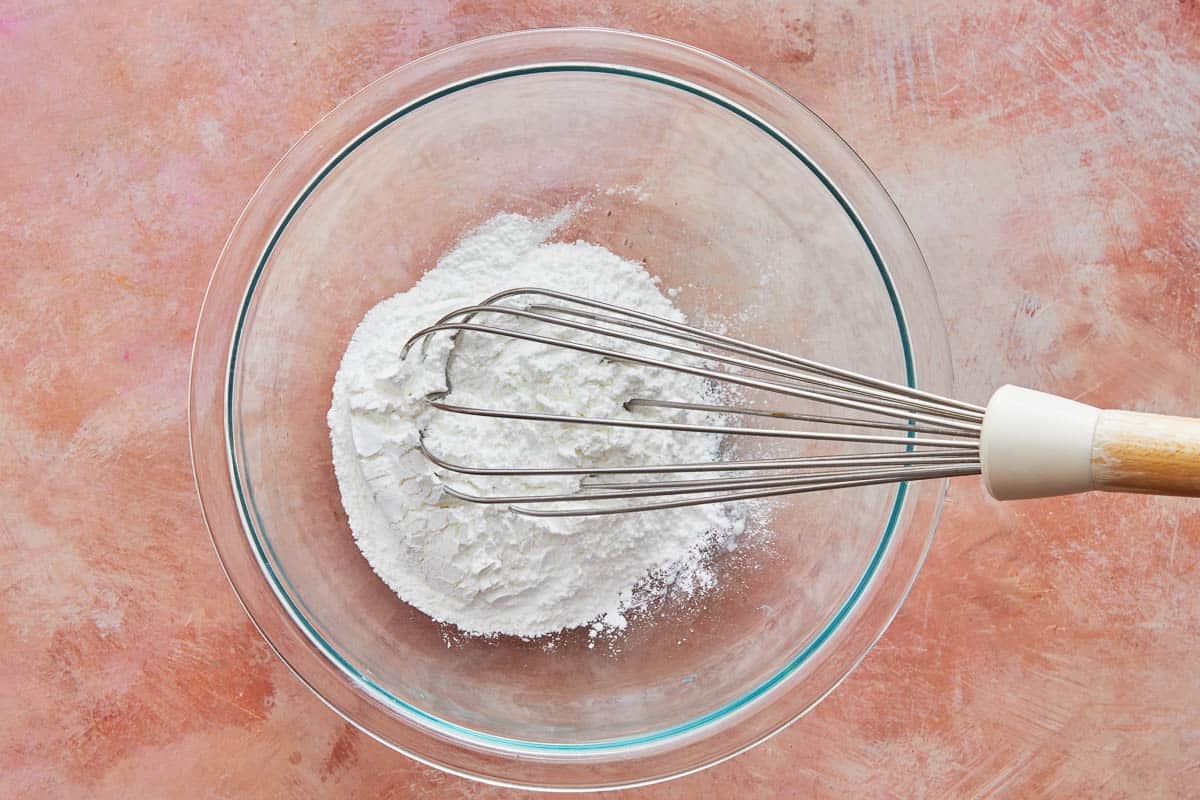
(1025, 443)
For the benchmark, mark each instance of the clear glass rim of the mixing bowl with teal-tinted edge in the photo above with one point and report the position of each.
(643, 747)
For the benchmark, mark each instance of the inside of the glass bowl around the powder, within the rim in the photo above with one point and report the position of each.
(659, 173)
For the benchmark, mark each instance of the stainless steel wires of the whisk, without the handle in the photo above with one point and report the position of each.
(939, 436)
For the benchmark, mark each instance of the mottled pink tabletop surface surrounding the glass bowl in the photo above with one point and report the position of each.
(1047, 159)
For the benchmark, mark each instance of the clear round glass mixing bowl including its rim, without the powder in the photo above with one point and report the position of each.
(725, 188)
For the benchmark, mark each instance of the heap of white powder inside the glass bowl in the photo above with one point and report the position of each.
(484, 568)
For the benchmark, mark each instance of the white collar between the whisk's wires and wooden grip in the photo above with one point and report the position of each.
(1036, 446)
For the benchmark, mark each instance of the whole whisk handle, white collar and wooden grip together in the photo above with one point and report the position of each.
(1036, 446)
